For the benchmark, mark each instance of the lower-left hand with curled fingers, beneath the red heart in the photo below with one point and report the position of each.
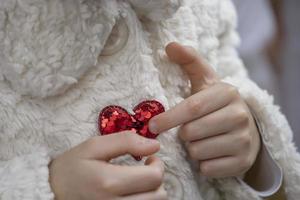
(84, 172)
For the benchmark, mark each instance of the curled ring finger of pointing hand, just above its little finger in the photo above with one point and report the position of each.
(215, 147)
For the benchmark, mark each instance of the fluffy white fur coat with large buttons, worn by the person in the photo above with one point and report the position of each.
(54, 81)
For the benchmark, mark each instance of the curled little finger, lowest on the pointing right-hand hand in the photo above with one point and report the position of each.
(223, 167)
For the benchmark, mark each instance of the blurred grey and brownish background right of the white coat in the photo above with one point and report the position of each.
(270, 48)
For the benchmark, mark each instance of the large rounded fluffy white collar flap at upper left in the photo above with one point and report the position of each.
(46, 46)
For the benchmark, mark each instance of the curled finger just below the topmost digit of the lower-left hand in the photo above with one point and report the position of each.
(127, 180)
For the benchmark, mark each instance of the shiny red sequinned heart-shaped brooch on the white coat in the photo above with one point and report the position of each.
(113, 119)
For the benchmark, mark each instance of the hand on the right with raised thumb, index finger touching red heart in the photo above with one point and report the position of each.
(216, 123)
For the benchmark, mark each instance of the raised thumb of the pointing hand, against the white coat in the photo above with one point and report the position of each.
(199, 72)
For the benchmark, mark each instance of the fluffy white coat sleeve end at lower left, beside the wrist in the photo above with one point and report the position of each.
(25, 177)
